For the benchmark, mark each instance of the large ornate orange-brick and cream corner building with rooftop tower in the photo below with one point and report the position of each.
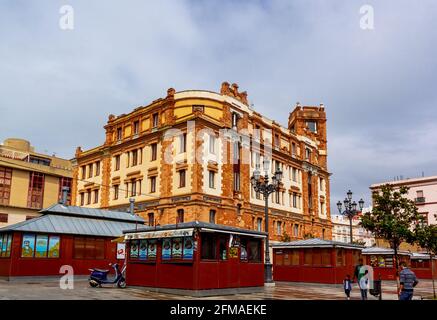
(189, 156)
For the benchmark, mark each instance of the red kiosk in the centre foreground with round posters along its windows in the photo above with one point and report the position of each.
(195, 258)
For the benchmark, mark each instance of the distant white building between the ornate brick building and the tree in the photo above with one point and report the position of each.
(341, 230)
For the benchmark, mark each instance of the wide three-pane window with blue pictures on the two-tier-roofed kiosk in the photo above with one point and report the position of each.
(40, 246)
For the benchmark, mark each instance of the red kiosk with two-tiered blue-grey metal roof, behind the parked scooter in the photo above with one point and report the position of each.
(63, 235)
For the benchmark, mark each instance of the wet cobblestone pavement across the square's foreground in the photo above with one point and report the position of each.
(292, 291)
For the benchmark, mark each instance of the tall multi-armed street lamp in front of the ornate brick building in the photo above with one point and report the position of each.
(262, 185)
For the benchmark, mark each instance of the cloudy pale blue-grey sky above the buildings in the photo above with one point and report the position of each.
(57, 86)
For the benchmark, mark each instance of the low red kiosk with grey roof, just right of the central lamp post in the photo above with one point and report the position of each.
(314, 260)
